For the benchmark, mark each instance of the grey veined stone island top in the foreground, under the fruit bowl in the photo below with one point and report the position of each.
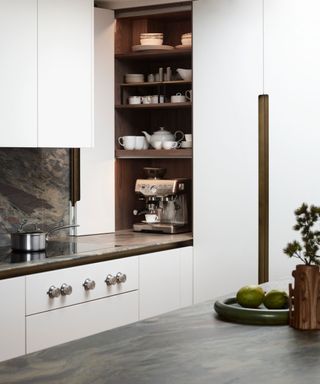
(188, 346)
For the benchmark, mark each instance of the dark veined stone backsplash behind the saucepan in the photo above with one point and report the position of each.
(35, 186)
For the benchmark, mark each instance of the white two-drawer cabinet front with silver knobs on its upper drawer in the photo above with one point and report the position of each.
(52, 321)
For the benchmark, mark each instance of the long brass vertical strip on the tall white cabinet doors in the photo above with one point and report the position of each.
(263, 273)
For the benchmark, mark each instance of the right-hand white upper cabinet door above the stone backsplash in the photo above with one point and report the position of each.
(65, 53)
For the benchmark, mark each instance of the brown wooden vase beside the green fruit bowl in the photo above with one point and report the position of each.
(304, 298)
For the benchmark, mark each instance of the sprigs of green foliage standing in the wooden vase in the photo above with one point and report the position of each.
(307, 251)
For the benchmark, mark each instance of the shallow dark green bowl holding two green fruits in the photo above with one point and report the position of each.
(230, 310)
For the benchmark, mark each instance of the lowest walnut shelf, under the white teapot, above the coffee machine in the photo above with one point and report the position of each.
(154, 154)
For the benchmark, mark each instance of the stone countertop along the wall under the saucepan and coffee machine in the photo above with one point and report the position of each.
(73, 251)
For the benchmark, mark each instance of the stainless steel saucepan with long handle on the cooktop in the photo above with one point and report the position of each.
(33, 241)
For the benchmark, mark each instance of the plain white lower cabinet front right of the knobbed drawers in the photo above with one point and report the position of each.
(165, 281)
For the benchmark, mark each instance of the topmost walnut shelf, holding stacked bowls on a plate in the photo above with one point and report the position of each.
(155, 54)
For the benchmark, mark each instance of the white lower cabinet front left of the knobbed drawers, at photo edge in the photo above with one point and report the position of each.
(12, 318)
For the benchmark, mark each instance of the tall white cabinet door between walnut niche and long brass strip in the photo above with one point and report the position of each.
(227, 78)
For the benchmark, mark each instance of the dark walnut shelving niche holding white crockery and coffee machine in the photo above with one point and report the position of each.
(132, 119)
